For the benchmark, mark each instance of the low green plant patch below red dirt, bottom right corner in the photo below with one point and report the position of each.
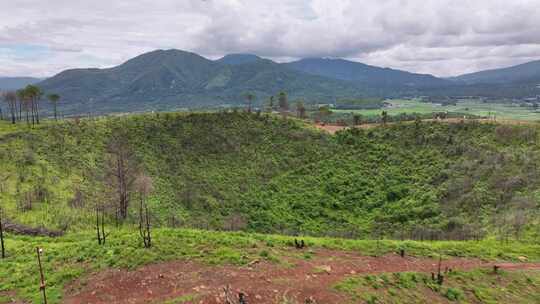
(478, 286)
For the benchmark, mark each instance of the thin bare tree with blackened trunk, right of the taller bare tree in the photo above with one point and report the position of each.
(143, 186)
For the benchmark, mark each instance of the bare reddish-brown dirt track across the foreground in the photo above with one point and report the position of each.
(296, 279)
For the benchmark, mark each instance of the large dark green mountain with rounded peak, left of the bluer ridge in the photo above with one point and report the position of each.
(172, 79)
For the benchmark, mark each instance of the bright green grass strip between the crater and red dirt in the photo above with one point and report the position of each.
(77, 254)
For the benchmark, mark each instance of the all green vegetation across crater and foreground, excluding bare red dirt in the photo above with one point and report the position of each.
(264, 173)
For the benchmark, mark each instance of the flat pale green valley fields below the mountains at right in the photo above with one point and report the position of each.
(474, 108)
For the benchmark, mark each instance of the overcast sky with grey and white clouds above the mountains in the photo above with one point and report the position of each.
(442, 37)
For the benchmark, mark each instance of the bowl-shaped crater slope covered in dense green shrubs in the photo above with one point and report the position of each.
(239, 171)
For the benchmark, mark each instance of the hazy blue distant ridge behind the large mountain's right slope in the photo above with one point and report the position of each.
(365, 74)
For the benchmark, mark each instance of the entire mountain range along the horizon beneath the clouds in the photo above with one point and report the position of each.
(171, 79)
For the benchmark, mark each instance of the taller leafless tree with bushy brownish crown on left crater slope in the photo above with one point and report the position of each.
(121, 168)
